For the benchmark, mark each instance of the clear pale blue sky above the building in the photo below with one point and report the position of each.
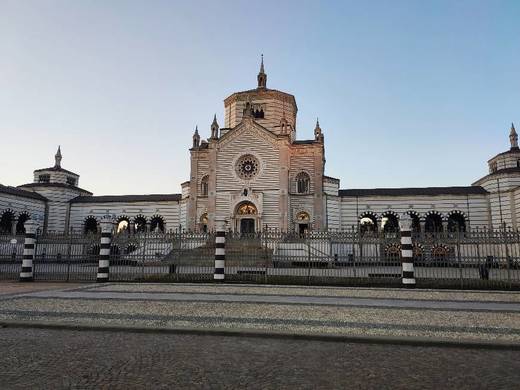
(408, 93)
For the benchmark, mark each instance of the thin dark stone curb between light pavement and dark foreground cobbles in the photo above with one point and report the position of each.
(382, 340)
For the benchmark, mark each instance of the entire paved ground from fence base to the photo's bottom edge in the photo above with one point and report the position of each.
(124, 335)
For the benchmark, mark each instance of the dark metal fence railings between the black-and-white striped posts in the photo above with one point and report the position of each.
(474, 259)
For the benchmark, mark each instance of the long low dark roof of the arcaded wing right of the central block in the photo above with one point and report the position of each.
(424, 191)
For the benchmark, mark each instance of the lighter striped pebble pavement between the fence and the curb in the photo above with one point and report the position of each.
(458, 316)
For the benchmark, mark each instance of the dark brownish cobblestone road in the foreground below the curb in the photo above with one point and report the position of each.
(43, 359)
